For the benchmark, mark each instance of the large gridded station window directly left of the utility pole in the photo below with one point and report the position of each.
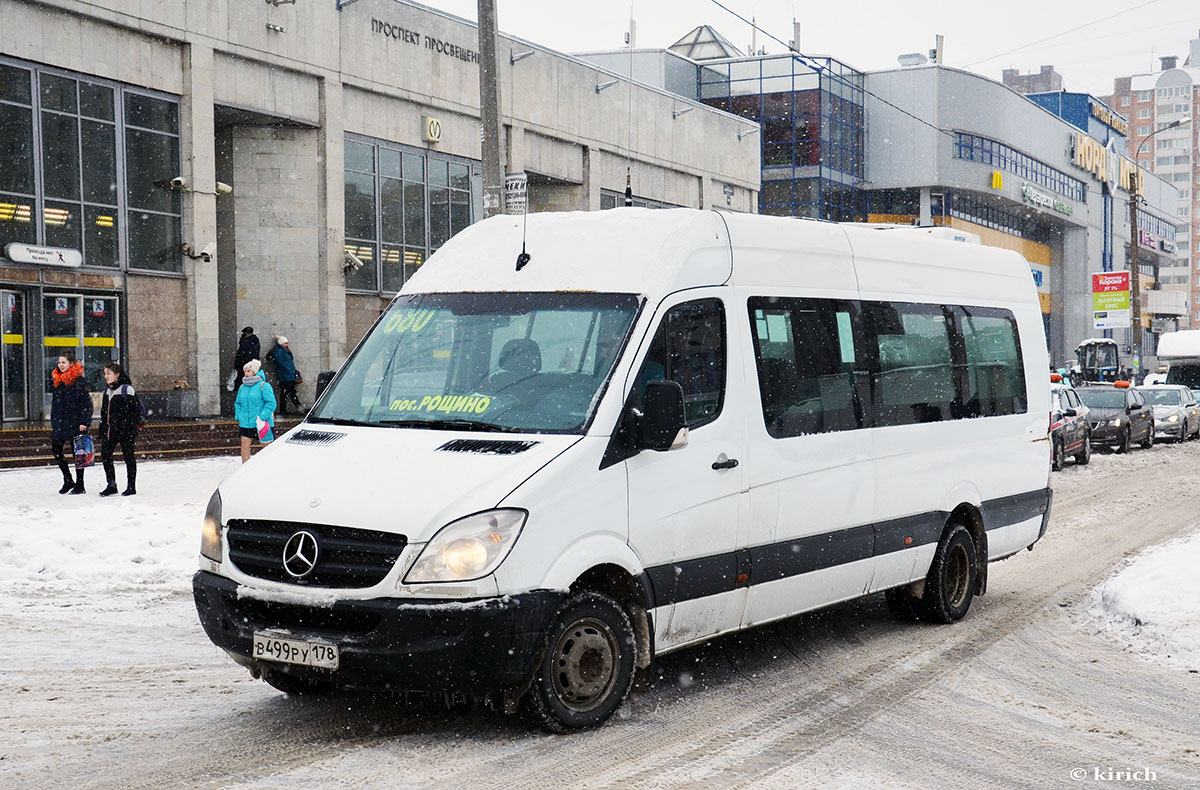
(401, 206)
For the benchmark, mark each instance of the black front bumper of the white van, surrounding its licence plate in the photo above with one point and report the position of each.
(412, 645)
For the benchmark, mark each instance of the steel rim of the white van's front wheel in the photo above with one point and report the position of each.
(584, 665)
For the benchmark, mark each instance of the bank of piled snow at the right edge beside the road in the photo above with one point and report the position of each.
(1154, 603)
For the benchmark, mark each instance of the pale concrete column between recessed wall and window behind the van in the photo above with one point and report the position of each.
(332, 244)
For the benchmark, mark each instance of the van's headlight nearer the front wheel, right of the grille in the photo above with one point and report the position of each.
(469, 548)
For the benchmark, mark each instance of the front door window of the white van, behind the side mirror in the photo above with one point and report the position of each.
(689, 349)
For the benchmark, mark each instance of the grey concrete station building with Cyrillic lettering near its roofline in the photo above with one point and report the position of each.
(173, 172)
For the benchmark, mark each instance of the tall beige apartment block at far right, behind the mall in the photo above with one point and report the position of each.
(1154, 103)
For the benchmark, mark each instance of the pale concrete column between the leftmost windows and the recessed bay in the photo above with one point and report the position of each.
(197, 140)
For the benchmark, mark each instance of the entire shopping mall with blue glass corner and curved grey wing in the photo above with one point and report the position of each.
(937, 146)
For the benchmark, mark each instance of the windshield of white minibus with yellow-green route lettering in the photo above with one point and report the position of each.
(484, 362)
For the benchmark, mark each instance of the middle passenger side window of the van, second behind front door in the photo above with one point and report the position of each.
(915, 382)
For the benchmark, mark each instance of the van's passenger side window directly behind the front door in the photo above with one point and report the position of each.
(807, 357)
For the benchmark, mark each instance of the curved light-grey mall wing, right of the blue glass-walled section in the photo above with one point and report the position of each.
(982, 158)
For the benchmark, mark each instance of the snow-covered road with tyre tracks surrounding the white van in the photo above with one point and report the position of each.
(113, 684)
